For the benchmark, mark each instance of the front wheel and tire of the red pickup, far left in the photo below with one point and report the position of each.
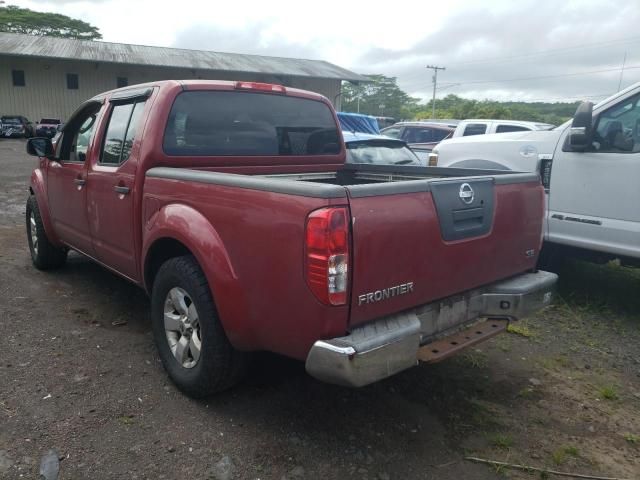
(44, 255)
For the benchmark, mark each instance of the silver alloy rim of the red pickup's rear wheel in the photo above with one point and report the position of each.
(182, 327)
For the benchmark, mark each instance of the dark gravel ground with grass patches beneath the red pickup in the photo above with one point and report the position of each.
(79, 374)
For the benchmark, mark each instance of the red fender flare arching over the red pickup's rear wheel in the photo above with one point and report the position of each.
(188, 226)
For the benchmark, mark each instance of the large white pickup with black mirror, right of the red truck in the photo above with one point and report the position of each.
(590, 168)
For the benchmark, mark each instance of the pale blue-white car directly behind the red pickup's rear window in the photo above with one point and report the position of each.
(378, 150)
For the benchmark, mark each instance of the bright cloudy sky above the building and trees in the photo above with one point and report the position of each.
(544, 50)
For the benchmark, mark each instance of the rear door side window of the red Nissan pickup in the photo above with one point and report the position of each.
(121, 133)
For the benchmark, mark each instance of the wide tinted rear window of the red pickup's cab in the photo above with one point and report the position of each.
(214, 123)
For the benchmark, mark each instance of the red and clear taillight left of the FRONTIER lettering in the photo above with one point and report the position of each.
(327, 254)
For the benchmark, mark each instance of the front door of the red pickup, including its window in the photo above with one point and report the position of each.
(66, 179)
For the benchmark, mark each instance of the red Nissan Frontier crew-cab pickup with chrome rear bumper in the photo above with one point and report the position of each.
(230, 203)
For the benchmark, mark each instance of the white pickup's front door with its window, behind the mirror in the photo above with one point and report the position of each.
(595, 195)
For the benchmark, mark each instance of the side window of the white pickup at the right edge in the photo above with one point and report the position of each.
(618, 129)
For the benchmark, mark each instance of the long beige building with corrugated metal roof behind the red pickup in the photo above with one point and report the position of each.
(49, 77)
